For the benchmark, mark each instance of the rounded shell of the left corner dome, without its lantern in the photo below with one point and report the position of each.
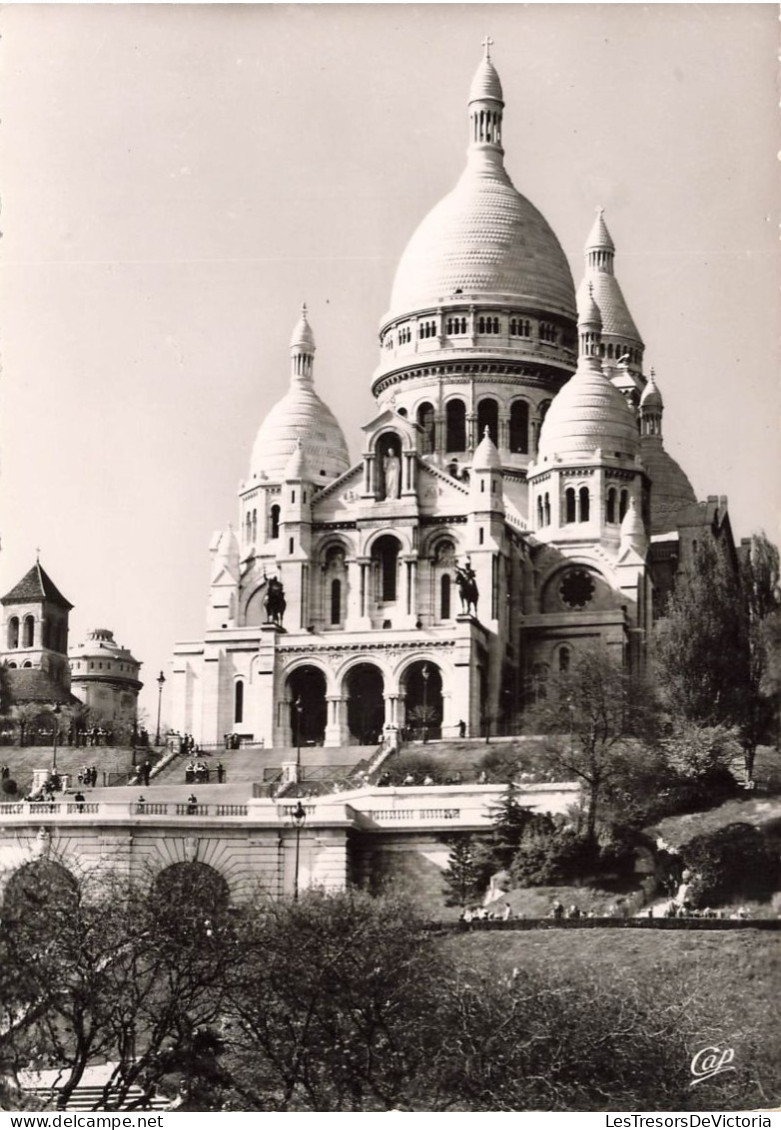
(300, 415)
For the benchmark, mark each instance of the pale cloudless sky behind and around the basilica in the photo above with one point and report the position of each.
(177, 180)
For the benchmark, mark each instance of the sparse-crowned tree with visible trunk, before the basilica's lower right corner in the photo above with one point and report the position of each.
(596, 716)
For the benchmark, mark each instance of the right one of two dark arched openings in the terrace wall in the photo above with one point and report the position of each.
(190, 900)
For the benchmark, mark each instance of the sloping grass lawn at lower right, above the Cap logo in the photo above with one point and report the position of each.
(734, 979)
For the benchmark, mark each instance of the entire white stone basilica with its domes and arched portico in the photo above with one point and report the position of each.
(513, 496)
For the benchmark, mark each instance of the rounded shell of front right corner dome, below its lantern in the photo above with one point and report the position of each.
(588, 414)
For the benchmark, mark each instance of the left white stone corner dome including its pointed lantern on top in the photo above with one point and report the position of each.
(300, 416)
